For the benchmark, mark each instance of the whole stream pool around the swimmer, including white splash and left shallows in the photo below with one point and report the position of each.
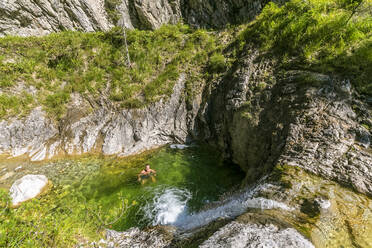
(187, 181)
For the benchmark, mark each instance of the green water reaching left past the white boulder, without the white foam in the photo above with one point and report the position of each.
(101, 183)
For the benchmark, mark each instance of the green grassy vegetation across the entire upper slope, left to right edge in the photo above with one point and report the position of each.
(317, 35)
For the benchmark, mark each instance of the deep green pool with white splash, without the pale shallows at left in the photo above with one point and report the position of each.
(186, 181)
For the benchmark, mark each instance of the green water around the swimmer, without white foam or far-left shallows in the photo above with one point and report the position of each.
(103, 181)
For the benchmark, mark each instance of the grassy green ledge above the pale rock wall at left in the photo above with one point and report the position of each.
(94, 64)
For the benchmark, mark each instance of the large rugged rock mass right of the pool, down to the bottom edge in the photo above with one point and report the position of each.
(306, 132)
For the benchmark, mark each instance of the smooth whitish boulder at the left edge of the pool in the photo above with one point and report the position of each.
(27, 188)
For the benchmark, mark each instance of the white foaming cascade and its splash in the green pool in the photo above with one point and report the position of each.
(169, 207)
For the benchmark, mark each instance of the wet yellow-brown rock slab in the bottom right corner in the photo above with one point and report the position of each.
(326, 213)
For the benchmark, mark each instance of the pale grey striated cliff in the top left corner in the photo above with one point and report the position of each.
(26, 17)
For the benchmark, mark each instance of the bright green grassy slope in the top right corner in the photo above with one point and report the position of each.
(319, 35)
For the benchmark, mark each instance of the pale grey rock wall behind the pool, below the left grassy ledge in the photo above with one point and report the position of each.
(105, 130)
